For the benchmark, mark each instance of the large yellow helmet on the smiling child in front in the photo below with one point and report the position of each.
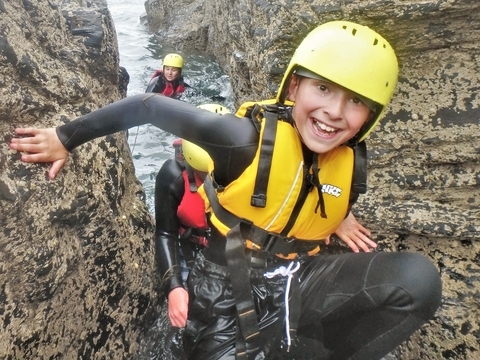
(352, 56)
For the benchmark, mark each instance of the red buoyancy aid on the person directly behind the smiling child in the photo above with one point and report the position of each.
(191, 211)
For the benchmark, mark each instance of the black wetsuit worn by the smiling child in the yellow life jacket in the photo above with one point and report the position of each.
(349, 306)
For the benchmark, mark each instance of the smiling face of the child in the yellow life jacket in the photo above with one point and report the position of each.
(326, 115)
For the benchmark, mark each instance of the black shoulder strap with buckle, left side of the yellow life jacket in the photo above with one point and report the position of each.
(259, 197)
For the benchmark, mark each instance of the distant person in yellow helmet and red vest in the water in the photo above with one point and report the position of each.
(168, 81)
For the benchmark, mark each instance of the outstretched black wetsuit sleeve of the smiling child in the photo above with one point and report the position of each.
(230, 141)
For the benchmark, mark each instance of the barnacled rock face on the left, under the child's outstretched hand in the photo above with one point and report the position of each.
(77, 267)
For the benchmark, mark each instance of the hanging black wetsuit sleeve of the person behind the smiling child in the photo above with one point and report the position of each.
(169, 190)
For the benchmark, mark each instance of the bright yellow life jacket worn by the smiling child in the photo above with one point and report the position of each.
(294, 197)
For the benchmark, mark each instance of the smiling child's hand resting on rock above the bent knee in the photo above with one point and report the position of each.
(352, 233)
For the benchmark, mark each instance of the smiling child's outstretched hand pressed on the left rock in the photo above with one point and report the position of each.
(42, 145)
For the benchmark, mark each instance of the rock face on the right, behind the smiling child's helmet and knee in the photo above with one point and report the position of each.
(424, 172)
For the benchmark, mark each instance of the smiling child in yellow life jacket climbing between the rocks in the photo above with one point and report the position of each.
(284, 176)
